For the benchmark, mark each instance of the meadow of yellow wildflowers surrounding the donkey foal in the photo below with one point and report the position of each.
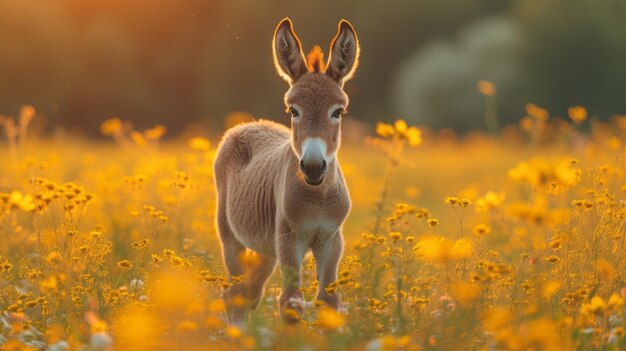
(508, 241)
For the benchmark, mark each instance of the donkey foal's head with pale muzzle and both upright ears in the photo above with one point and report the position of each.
(315, 99)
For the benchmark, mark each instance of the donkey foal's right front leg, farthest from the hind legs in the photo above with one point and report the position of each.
(327, 255)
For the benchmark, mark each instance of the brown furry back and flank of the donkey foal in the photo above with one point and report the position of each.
(248, 163)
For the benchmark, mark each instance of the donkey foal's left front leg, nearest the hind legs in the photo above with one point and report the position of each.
(290, 254)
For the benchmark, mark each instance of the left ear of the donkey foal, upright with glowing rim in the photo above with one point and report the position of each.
(288, 57)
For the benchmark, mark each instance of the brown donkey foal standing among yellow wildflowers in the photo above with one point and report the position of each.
(281, 191)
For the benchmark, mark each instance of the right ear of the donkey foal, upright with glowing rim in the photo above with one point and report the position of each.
(344, 53)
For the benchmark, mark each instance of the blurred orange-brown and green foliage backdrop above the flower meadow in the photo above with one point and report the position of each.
(182, 63)
